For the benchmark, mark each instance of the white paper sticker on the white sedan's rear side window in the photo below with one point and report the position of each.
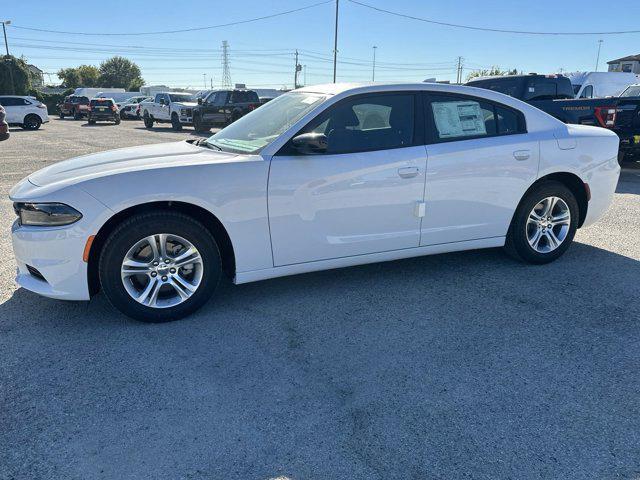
(458, 119)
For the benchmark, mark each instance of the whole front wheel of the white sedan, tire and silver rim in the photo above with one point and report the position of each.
(160, 266)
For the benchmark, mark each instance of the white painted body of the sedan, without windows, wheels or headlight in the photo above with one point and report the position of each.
(287, 215)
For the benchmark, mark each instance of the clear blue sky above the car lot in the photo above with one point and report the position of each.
(261, 53)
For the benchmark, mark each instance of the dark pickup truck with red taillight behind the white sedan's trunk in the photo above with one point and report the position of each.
(554, 94)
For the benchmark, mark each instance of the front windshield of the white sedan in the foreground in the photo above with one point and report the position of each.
(253, 132)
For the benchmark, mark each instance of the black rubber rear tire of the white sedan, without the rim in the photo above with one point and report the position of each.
(517, 244)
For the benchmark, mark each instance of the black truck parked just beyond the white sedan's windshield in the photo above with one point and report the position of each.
(223, 107)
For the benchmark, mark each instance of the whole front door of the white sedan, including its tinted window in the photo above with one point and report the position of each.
(362, 195)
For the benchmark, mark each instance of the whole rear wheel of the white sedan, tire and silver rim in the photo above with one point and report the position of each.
(544, 224)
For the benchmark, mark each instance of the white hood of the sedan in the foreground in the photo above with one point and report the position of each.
(123, 160)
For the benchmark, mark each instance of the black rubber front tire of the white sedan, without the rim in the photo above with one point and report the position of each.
(137, 227)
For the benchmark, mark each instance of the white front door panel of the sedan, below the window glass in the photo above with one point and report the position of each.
(331, 206)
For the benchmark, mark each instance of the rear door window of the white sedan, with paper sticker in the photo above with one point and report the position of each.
(458, 118)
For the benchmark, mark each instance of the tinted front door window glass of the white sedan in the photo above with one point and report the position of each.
(365, 123)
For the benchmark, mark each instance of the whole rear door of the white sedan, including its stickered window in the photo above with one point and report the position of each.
(480, 163)
